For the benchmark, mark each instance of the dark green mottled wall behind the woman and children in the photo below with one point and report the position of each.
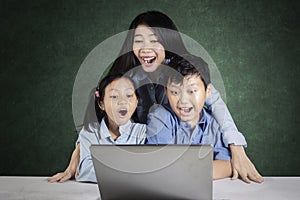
(255, 45)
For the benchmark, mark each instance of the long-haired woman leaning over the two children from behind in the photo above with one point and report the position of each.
(151, 42)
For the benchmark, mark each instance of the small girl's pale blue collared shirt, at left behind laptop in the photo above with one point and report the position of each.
(130, 133)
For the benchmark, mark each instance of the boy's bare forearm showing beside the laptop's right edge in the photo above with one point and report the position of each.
(221, 169)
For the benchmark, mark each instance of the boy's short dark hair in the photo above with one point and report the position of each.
(189, 65)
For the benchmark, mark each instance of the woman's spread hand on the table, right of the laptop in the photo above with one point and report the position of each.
(241, 165)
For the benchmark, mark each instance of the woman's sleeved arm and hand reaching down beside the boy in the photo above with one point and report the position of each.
(241, 164)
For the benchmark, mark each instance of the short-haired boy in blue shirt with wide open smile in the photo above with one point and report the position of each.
(184, 120)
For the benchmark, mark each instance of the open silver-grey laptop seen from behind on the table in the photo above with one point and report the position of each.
(153, 171)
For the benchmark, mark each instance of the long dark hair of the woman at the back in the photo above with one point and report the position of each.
(166, 32)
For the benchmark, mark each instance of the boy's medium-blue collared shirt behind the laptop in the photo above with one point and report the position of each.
(164, 127)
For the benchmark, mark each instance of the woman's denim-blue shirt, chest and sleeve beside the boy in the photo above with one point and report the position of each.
(154, 93)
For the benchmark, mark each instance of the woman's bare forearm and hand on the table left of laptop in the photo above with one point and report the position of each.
(72, 169)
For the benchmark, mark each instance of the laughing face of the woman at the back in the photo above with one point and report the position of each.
(147, 48)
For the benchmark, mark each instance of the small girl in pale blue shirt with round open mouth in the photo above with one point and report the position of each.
(115, 102)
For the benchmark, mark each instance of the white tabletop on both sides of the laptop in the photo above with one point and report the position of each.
(37, 188)
